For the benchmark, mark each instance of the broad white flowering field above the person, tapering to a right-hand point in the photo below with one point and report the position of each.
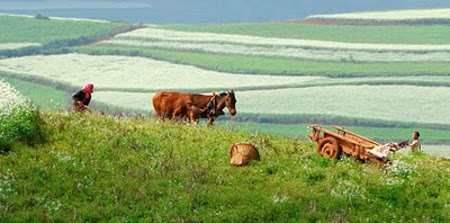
(137, 74)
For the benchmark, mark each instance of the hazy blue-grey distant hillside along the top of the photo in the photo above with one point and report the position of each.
(199, 11)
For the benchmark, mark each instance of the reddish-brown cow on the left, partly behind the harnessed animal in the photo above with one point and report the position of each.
(175, 106)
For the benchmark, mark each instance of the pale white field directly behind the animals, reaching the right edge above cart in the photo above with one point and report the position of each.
(393, 103)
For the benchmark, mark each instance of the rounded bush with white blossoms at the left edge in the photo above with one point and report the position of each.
(19, 119)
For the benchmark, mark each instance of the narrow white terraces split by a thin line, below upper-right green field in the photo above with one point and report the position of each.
(281, 47)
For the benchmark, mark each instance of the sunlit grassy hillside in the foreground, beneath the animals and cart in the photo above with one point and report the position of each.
(96, 168)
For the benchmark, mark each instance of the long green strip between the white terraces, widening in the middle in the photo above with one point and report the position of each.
(274, 66)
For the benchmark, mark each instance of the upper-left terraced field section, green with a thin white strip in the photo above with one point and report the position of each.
(28, 35)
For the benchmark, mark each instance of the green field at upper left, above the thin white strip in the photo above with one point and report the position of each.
(30, 30)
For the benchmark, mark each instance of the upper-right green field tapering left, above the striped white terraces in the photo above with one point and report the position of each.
(338, 33)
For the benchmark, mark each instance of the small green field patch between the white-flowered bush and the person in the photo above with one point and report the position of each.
(44, 97)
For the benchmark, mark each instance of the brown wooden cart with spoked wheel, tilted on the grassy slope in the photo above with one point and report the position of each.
(330, 144)
